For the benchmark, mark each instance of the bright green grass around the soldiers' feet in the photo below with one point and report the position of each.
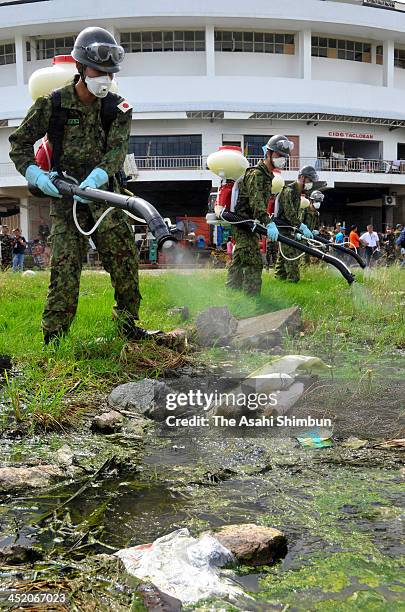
(342, 323)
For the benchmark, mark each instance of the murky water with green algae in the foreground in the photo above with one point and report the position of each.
(338, 549)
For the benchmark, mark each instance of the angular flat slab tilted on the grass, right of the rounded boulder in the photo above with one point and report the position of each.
(268, 330)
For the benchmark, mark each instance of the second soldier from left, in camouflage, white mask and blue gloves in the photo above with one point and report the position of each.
(245, 271)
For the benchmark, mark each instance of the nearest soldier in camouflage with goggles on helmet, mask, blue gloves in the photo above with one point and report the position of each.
(93, 159)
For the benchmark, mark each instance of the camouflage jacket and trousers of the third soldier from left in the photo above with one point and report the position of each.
(289, 210)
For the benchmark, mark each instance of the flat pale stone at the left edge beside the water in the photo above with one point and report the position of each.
(35, 477)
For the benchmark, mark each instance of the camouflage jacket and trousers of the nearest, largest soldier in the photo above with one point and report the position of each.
(84, 148)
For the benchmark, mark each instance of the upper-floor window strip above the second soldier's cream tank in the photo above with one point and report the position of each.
(254, 42)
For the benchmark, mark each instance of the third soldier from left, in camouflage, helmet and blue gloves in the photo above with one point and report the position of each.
(289, 210)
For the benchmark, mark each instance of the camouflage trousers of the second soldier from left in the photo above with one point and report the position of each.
(245, 270)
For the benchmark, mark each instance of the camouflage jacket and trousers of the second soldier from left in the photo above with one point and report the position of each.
(245, 271)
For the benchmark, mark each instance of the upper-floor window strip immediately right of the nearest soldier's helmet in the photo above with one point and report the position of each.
(177, 40)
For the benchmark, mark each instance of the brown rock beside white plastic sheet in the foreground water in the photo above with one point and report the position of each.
(253, 544)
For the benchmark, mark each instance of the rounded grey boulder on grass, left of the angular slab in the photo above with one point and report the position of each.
(215, 326)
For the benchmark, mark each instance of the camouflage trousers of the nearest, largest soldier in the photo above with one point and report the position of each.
(118, 253)
